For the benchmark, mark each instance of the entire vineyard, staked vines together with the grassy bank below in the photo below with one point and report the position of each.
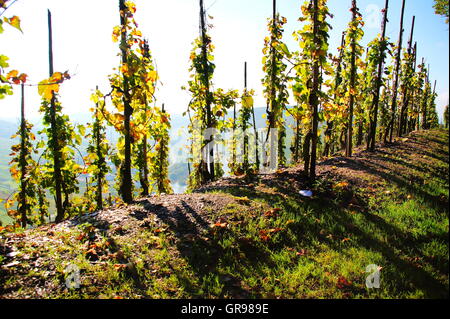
(345, 167)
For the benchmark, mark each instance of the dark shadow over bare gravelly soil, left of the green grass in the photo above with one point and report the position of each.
(204, 254)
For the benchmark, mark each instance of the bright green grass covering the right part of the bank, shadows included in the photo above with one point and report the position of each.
(404, 230)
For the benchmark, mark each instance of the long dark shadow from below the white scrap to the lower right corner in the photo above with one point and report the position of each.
(341, 225)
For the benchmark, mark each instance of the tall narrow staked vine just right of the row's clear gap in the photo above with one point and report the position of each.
(207, 110)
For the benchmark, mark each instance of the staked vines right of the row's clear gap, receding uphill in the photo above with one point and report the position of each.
(356, 97)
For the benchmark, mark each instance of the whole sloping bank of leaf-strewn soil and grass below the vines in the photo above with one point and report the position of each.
(258, 239)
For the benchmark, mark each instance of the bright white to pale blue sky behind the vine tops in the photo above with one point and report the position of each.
(82, 43)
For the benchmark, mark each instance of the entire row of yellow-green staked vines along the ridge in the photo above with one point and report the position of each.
(356, 97)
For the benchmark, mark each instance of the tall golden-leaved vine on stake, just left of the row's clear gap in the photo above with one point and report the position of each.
(133, 88)
